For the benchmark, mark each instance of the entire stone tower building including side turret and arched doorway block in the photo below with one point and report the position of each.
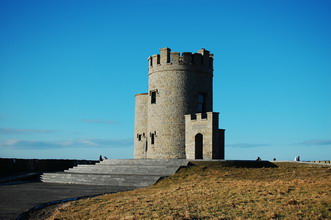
(178, 85)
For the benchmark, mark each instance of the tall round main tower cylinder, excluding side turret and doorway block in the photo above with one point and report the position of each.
(177, 85)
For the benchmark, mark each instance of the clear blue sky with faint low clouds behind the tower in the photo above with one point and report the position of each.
(69, 70)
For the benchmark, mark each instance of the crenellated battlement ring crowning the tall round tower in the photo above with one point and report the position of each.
(166, 58)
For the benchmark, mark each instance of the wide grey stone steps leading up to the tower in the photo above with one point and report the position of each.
(124, 174)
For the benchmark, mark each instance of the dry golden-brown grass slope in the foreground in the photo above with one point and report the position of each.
(212, 191)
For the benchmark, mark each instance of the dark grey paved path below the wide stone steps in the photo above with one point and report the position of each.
(20, 197)
